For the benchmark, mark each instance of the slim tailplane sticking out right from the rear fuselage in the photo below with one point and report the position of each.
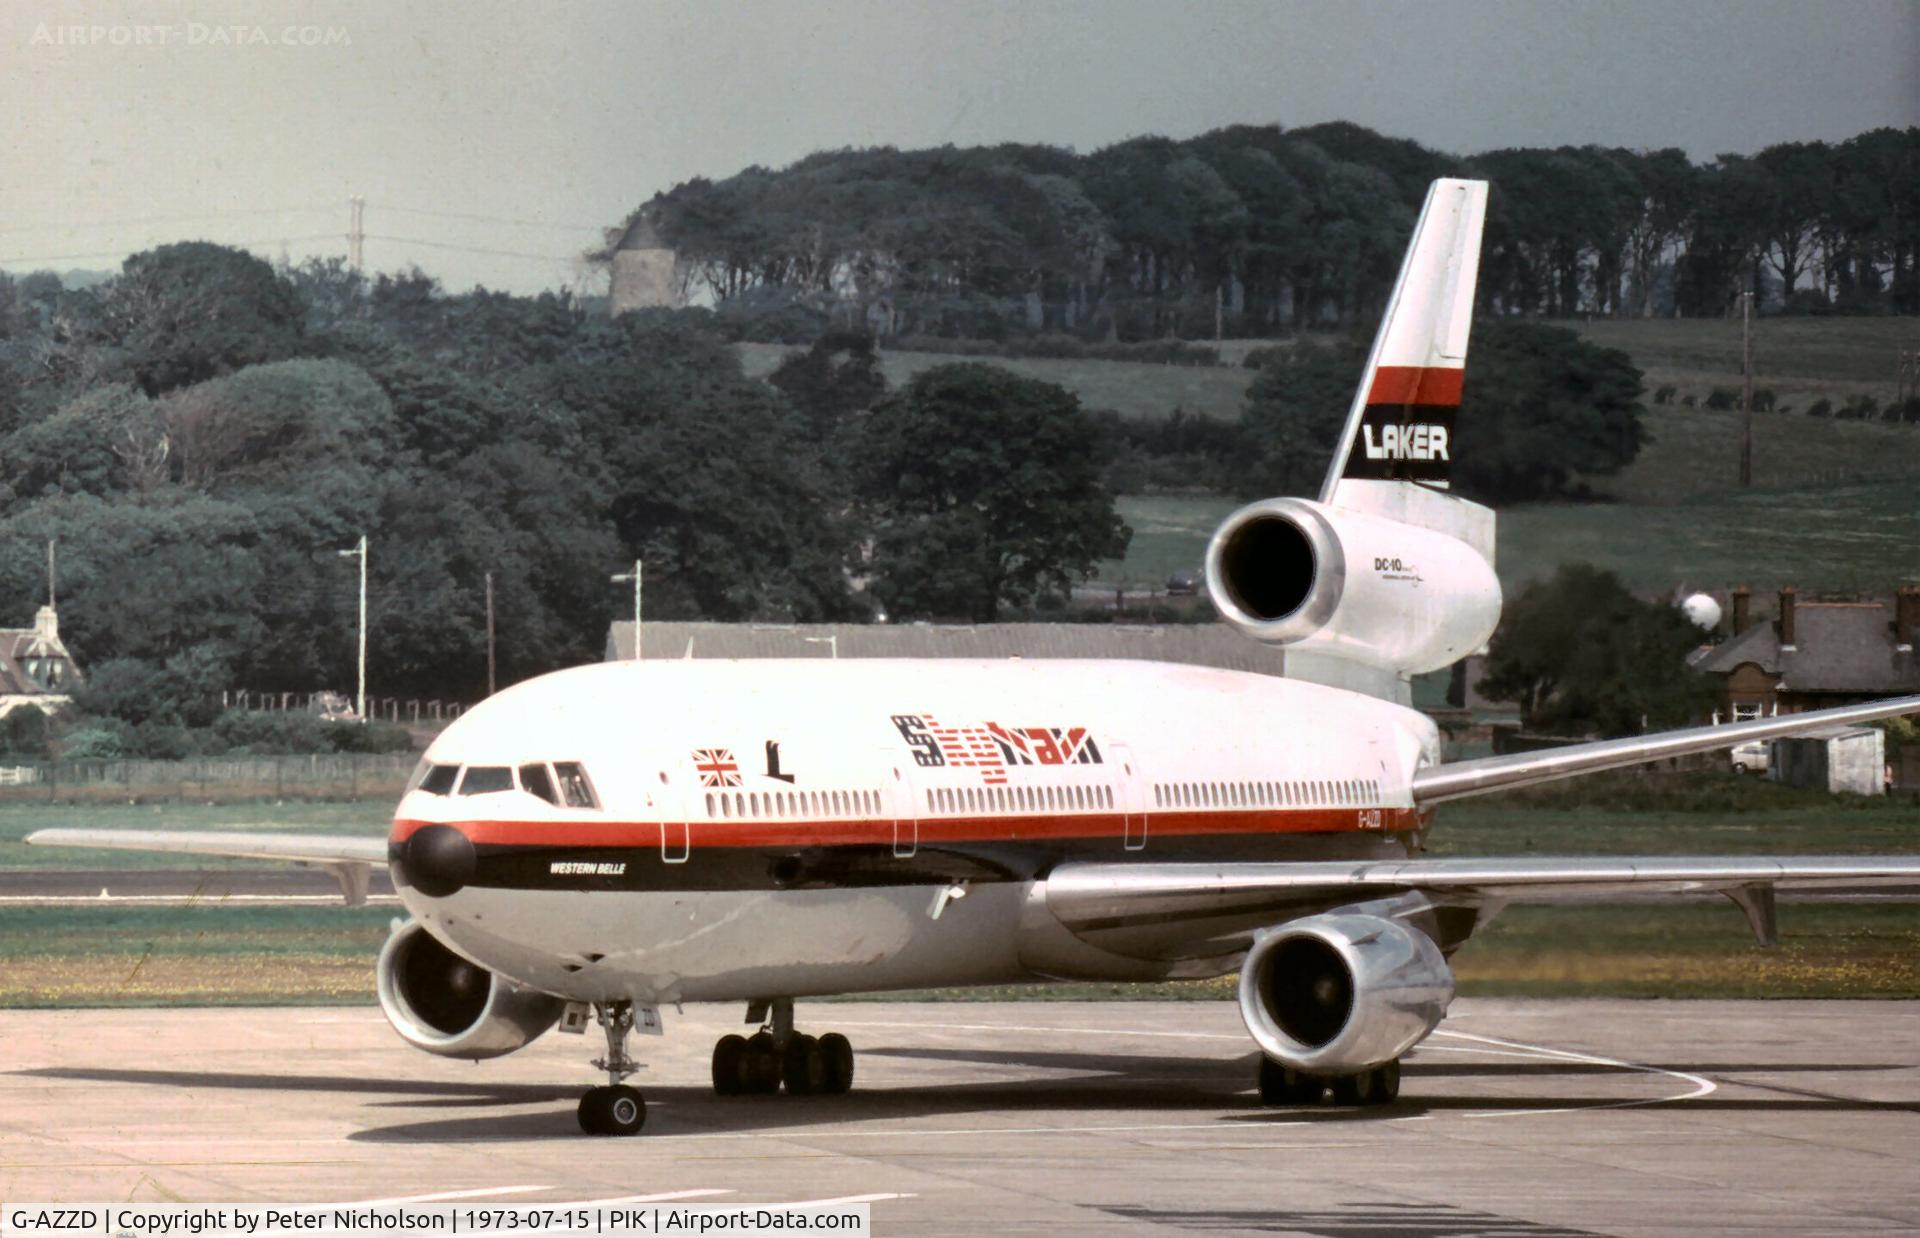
(1487, 774)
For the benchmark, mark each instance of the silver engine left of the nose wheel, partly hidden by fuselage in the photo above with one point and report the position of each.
(441, 1003)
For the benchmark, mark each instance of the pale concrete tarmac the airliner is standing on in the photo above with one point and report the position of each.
(1518, 1118)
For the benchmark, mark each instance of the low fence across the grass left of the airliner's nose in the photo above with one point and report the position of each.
(214, 778)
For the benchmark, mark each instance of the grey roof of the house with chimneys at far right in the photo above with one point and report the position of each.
(1838, 648)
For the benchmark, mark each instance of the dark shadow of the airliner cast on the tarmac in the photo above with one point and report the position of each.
(1099, 1083)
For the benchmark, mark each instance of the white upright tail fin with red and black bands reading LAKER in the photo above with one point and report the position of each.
(1401, 429)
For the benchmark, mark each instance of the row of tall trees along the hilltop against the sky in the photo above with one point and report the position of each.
(1259, 231)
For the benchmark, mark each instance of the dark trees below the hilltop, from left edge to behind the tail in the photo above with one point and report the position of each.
(204, 433)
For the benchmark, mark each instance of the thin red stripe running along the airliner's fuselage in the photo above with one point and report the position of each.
(873, 832)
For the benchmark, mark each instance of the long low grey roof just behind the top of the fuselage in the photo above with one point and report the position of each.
(1191, 644)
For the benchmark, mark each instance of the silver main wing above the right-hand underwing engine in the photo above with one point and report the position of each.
(1214, 907)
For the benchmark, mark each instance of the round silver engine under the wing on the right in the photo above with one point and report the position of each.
(1341, 993)
